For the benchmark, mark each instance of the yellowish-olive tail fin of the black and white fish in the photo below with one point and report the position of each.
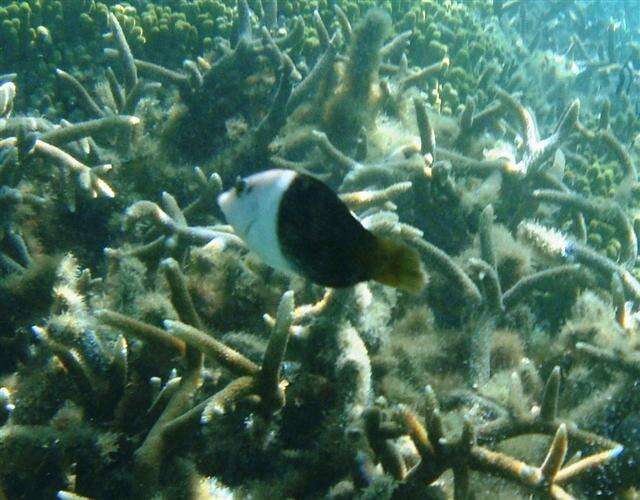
(397, 265)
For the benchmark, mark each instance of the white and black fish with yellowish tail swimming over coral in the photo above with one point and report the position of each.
(297, 224)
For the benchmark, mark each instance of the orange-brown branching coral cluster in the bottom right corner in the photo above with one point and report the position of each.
(464, 454)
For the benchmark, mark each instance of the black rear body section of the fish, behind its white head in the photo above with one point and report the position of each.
(320, 237)
